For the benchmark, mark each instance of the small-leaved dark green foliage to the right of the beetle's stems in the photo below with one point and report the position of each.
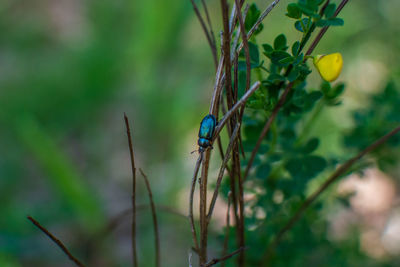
(289, 160)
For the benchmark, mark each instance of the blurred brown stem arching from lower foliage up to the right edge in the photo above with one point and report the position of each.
(337, 174)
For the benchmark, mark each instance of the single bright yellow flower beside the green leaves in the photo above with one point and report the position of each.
(329, 66)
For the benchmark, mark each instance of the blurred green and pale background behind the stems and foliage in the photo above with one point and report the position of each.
(69, 69)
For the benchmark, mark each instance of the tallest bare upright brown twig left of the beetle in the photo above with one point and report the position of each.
(133, 225)
